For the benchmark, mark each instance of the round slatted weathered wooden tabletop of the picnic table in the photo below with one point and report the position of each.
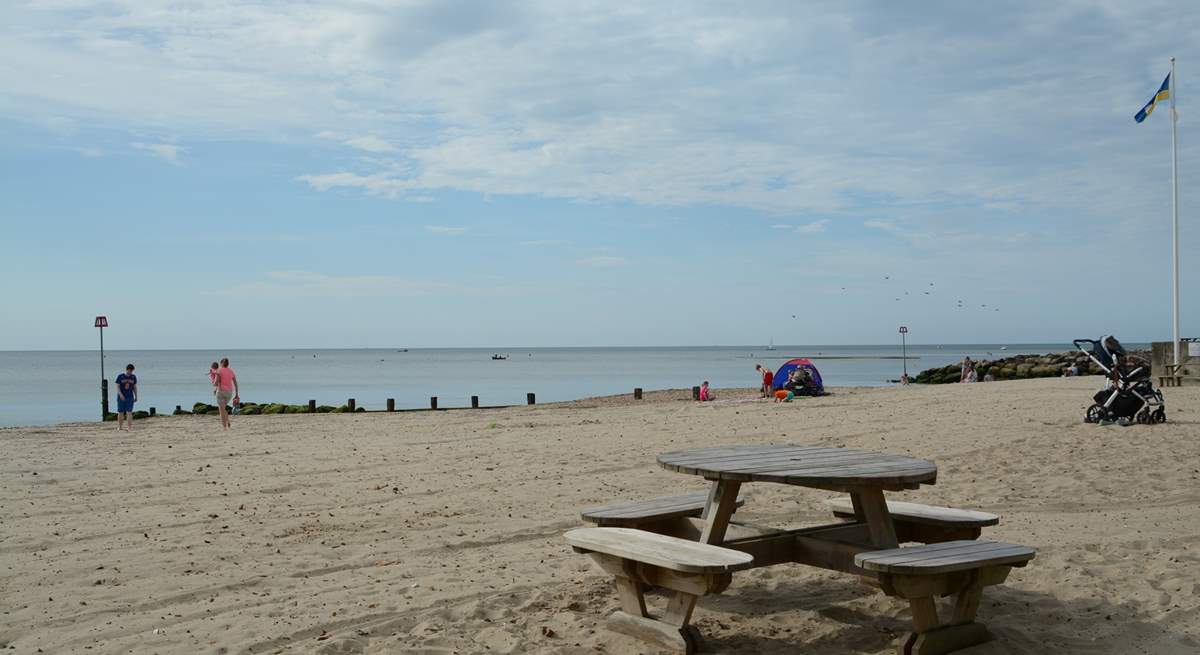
(831, 468)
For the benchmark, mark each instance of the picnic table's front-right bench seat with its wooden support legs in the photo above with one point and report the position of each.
(920, 574)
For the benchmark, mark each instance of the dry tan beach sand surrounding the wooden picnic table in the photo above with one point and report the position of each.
(441, 533)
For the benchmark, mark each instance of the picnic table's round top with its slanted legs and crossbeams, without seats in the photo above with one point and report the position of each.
(862, 474)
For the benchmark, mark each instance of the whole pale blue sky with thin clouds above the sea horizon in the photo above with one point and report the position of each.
(369, 173)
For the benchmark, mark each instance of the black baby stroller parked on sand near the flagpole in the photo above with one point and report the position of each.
(1129, 394)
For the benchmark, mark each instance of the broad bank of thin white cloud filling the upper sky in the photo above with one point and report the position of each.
(701, 105)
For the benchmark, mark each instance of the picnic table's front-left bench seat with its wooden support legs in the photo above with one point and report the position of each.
(638, 558)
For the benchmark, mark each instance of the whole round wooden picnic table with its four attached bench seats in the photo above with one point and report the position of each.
(694, 552)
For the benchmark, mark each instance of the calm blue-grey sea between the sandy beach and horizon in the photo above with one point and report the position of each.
(40, 388)
